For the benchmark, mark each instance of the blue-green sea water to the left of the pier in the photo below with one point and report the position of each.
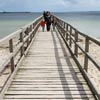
(10, 22)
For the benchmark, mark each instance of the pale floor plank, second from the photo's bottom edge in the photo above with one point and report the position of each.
(48, 92)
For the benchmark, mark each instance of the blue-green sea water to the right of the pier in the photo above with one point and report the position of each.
(86, 22)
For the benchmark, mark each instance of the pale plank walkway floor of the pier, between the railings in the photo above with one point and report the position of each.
(48, 72)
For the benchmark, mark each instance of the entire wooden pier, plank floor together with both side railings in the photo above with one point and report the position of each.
(46, 68)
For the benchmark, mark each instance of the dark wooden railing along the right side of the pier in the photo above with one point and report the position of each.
(71, 37)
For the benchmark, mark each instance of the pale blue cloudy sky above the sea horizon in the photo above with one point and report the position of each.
(50, 5)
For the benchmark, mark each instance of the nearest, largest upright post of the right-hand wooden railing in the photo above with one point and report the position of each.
(86, 50)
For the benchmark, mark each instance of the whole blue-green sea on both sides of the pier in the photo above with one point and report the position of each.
(85, 22)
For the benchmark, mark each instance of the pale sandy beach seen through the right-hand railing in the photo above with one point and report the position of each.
(93, 72)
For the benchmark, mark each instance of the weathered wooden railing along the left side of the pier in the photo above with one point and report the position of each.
(18, 44)
